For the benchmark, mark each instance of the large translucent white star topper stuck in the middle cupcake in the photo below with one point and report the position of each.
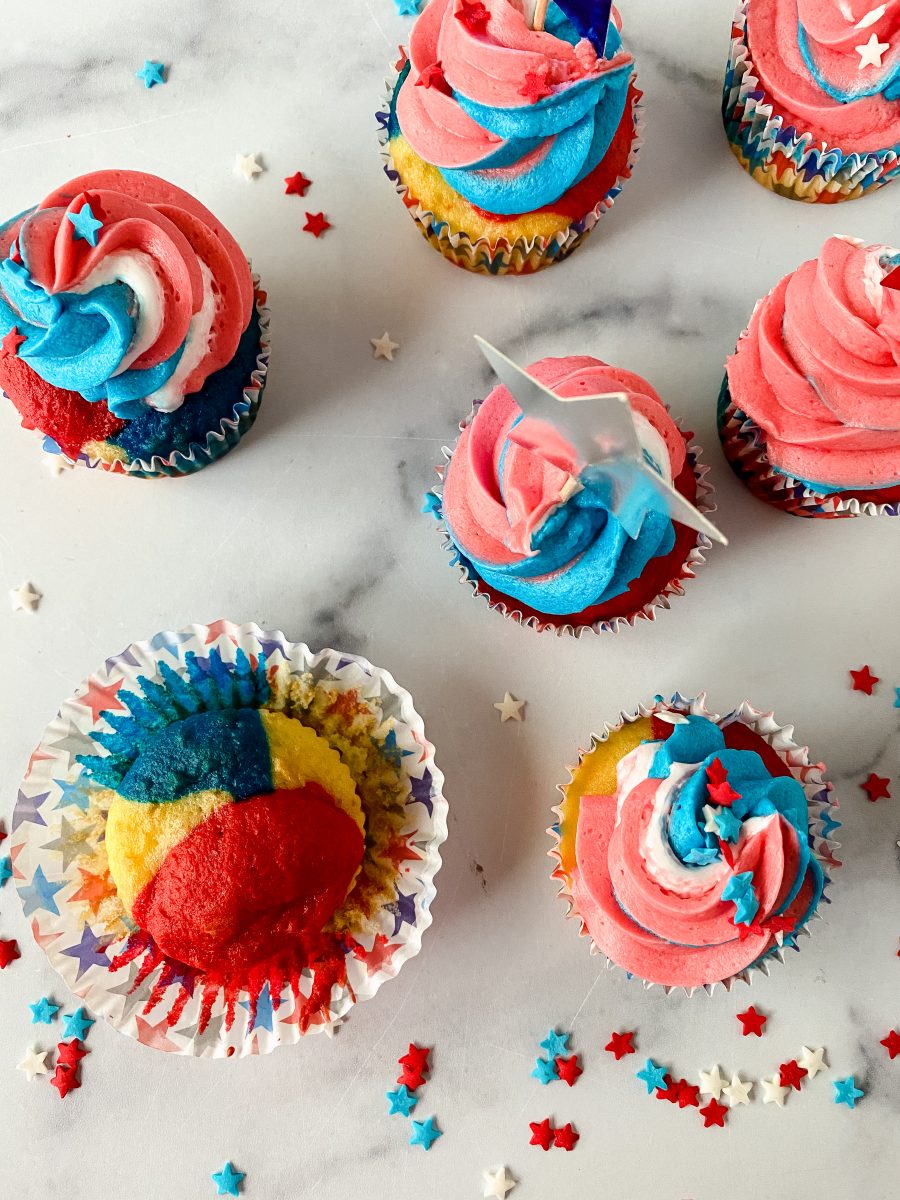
(603, 433)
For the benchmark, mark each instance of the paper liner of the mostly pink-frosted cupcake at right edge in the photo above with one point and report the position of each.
(745, 447)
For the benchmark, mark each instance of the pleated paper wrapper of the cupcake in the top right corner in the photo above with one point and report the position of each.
(783, 158)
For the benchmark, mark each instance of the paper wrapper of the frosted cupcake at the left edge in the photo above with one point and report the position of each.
(219, 442)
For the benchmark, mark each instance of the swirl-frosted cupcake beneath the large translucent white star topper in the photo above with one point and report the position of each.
(559, 545)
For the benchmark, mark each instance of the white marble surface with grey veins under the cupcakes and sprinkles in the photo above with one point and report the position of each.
(313, 526)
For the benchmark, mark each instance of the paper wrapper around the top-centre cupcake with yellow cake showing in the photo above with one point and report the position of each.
(525, 256)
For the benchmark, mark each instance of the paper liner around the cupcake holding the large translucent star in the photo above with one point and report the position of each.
(507, 607)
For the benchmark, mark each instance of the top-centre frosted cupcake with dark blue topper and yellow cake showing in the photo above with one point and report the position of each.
(508, 142)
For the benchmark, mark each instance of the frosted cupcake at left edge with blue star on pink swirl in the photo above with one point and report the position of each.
(134, 338)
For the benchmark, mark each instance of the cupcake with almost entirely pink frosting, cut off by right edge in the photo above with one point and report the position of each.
(809, 412)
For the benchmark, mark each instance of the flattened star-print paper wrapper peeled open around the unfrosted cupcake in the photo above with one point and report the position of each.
(56, 831)
